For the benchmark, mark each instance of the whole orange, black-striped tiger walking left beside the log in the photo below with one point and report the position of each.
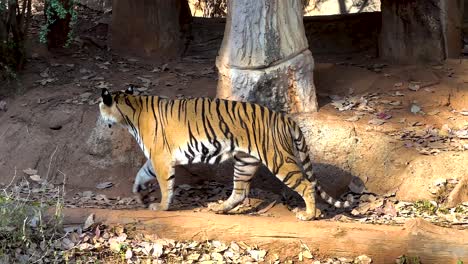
(211, 131)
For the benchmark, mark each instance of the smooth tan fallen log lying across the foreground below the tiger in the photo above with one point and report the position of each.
(431, 243)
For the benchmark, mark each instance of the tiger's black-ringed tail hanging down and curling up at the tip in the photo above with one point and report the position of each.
(303, 151)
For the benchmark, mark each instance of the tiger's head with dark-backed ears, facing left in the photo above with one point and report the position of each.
(115, 107)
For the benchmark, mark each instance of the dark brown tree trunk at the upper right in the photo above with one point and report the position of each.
(420, 30)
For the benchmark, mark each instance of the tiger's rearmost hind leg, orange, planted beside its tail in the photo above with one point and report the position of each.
(291, 174)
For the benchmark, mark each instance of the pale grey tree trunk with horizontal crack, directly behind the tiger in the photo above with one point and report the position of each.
(264, 56)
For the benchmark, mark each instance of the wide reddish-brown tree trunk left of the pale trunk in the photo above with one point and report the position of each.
(155, 29)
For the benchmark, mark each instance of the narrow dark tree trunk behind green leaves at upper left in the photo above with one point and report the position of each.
(57, 36)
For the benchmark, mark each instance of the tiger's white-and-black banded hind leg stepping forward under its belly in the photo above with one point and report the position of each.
(245, 167)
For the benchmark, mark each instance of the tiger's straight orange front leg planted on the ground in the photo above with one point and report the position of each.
(164, 171)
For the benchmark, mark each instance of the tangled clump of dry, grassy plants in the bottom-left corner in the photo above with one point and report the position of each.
(27, 233)
